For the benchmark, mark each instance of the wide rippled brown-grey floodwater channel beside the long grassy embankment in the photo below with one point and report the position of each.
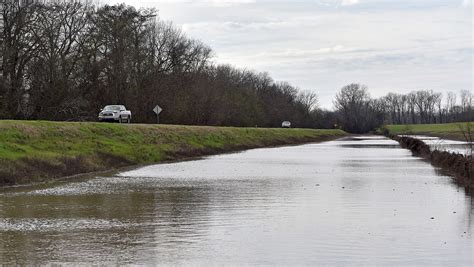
(359, 201)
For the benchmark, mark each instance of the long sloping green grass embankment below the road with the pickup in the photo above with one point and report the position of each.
(35, 151)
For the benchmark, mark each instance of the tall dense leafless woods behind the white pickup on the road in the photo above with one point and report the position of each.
(64, 60)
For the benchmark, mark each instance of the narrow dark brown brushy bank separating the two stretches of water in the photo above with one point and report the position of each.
(461, 167)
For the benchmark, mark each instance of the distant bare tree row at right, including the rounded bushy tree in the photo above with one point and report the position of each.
(357, 112)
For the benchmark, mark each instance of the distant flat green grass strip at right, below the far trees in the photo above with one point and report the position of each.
(446, 131)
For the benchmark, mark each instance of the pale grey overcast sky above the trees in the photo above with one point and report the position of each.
(322, 45)
